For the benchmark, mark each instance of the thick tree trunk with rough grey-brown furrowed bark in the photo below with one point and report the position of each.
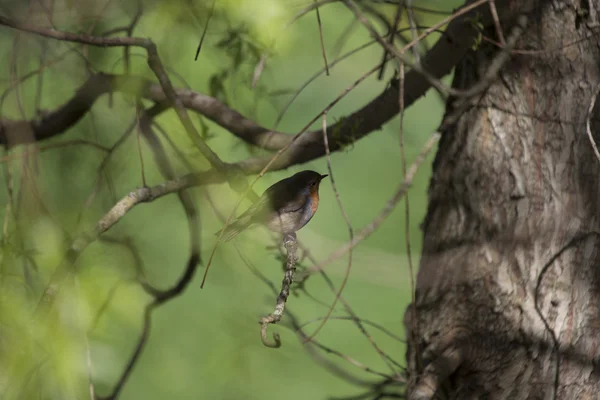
(508, 288)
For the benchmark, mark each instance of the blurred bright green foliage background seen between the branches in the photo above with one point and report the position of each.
(204, 344)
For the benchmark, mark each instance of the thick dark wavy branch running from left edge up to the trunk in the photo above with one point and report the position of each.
(438, 62)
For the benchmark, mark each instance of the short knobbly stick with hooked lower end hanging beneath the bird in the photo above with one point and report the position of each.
(291, 247)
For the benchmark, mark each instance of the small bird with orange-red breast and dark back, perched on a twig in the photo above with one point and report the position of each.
(285, 207)
